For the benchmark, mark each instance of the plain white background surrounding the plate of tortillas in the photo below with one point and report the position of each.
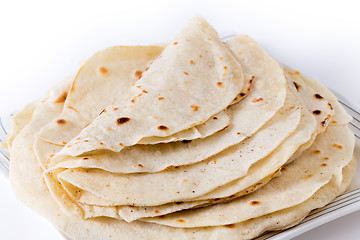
(41, 42)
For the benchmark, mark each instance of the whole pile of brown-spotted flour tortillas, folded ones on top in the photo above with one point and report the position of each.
(194, 139)
